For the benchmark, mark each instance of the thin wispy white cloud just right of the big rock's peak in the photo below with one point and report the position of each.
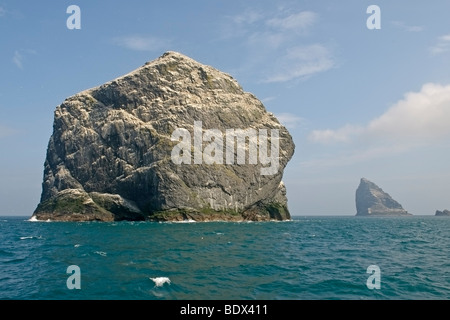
(301, 62)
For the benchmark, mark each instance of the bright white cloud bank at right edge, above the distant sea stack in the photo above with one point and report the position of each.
(421, 117)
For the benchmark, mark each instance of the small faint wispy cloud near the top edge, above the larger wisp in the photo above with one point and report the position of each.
(297, 22)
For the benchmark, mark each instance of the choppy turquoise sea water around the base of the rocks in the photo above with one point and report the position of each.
(315, 258)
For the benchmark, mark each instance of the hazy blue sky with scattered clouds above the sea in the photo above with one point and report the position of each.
(363, 93)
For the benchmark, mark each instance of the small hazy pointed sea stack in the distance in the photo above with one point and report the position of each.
(371, 200)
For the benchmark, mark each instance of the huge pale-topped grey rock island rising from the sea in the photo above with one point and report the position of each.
(111, 154)
